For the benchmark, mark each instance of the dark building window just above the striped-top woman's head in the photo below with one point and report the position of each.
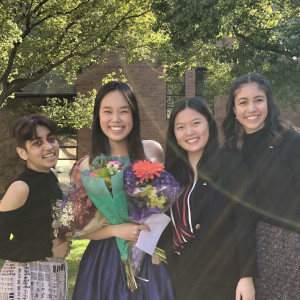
(175, 92)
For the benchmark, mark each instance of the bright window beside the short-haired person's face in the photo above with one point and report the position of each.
(67, 155)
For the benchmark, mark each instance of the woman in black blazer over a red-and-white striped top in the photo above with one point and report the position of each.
(210, 241)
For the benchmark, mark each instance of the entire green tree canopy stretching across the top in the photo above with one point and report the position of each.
(229, 38)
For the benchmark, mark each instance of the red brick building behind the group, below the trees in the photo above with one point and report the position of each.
(155, 98)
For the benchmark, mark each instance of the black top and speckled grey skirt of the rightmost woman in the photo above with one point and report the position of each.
(275, 173)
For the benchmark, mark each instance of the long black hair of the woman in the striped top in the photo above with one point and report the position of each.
(177, 161)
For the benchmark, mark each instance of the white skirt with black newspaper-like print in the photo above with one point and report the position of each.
(34, 280)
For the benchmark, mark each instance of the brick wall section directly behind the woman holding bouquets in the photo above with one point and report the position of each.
(149, 89)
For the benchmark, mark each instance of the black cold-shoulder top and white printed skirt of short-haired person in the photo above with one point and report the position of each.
(29, 271)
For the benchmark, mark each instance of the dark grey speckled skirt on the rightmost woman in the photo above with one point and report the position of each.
(278, 255)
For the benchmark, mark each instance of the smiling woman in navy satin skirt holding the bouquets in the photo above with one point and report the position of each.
(101, 275)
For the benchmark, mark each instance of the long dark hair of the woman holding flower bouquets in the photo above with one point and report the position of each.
(100, 144)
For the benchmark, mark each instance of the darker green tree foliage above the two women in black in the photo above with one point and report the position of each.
(234, 37)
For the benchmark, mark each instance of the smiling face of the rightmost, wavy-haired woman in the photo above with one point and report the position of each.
(251, 107)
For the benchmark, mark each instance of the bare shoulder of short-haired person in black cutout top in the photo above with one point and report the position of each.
(15, 196)
